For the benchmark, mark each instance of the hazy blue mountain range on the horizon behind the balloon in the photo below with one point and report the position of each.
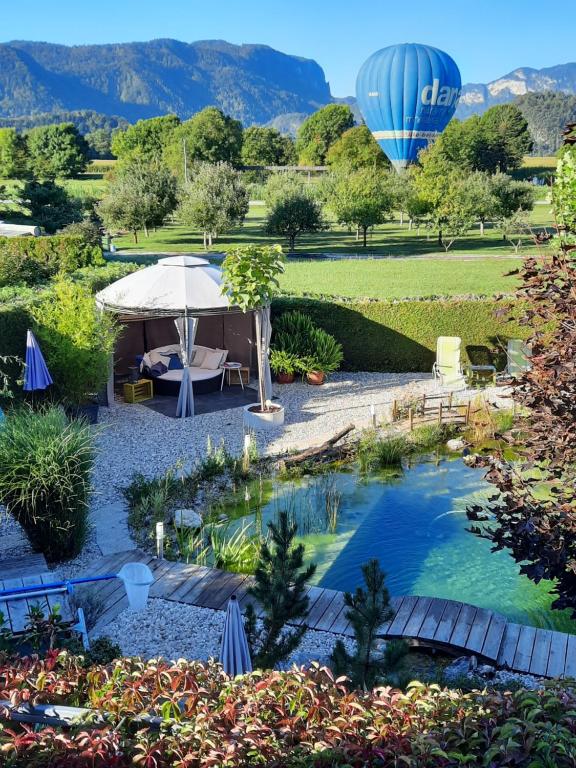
(253, 83)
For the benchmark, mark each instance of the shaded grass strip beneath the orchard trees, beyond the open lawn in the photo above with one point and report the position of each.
(389, 239)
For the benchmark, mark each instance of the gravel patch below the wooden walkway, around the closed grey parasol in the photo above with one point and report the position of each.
(174, 630)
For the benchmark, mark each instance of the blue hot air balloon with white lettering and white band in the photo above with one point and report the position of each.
(407, 95)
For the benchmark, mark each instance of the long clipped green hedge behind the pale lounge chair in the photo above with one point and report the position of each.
(401, 336)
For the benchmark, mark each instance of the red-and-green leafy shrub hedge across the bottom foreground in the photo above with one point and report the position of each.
(296, 719)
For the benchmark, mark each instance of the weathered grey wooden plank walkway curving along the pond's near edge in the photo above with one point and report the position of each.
(447, 625)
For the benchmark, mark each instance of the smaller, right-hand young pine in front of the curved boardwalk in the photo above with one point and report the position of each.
(369, 609)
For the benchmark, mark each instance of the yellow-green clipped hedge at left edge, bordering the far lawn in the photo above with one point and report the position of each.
(31, 260)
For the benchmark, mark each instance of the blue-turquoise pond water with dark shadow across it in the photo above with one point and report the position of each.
(414, 522)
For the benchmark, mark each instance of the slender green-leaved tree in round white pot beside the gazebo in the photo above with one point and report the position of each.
(250, 276)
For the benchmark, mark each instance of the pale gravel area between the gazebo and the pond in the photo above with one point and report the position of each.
(133, 438)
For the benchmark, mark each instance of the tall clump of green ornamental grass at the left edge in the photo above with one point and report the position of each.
(46, 462)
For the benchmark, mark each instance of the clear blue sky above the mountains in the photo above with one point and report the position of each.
(487, 38)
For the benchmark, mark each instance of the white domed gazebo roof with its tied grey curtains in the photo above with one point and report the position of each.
(183, 287)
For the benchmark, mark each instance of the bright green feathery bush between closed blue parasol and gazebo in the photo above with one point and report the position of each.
(76, 339)
